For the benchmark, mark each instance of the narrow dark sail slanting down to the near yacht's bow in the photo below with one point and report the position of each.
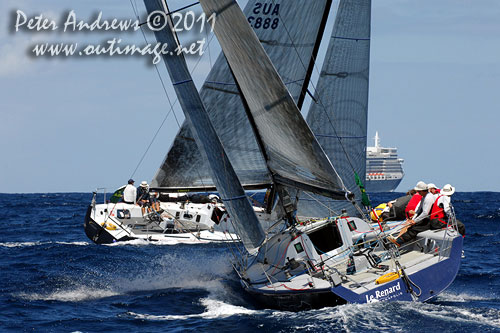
(228, 185)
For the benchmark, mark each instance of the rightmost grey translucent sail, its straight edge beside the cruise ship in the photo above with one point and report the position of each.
(338, 117)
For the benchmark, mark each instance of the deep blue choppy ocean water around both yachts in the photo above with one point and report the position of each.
(54, 279)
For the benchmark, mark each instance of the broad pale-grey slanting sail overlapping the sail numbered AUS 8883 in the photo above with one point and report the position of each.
(294, 156)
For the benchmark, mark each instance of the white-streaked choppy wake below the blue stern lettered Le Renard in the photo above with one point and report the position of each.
(392, 316)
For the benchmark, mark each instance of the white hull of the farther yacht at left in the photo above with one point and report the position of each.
(188, 223)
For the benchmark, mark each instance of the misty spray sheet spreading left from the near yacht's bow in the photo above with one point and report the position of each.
(168, 272)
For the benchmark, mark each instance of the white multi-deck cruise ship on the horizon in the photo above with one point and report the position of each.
(384, 169)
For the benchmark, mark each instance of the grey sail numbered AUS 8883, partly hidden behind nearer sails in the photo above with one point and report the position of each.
(290, 43)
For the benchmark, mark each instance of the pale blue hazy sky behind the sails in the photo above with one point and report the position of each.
(73, 124)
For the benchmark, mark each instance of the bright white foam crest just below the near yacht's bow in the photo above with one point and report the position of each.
(214, 309)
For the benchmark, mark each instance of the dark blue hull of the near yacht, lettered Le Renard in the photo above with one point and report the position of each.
(428, 281)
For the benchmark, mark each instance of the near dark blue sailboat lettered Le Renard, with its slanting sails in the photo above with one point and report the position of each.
(310, 262)
